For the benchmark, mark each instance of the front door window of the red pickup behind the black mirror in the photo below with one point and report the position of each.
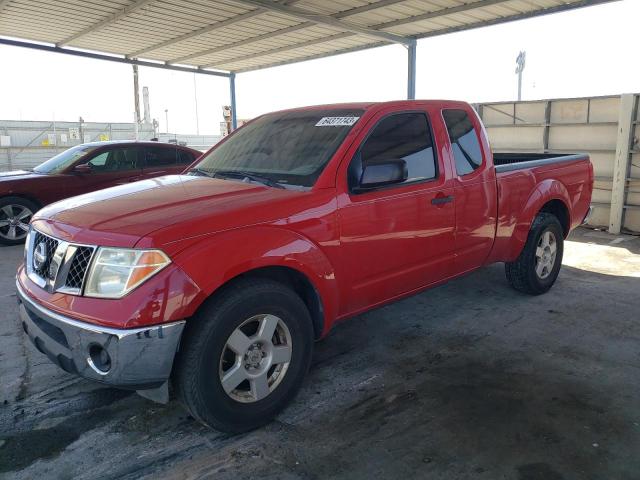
(404, 136)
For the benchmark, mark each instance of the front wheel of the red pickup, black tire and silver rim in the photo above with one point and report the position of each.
(205, 352)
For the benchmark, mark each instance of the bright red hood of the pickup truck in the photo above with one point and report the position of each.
(163, 210)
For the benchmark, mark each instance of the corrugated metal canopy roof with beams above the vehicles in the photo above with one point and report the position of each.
(243, 35)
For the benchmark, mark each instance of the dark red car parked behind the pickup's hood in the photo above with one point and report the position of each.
(82, 169)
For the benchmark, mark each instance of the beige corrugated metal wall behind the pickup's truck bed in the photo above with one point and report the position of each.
(577, 125)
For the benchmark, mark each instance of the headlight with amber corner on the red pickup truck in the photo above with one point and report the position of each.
(117, 271)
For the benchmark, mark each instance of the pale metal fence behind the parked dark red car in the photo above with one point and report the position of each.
(25, 144)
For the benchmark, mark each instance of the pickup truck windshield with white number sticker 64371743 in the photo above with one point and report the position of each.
(285, 149)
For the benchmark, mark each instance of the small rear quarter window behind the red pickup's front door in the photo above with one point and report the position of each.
(464, 141)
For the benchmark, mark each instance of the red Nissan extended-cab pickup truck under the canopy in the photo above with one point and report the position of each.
(219, 280)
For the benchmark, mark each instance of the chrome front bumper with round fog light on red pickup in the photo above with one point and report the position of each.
(137, 359)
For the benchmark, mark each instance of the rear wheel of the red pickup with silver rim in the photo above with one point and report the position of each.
(532, 272)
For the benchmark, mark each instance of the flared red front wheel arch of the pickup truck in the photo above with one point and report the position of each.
(214, 260)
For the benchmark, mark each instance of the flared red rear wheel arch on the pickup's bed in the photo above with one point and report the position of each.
(544, 192)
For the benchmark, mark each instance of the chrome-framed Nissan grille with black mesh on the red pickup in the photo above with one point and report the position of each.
(56, 265)
